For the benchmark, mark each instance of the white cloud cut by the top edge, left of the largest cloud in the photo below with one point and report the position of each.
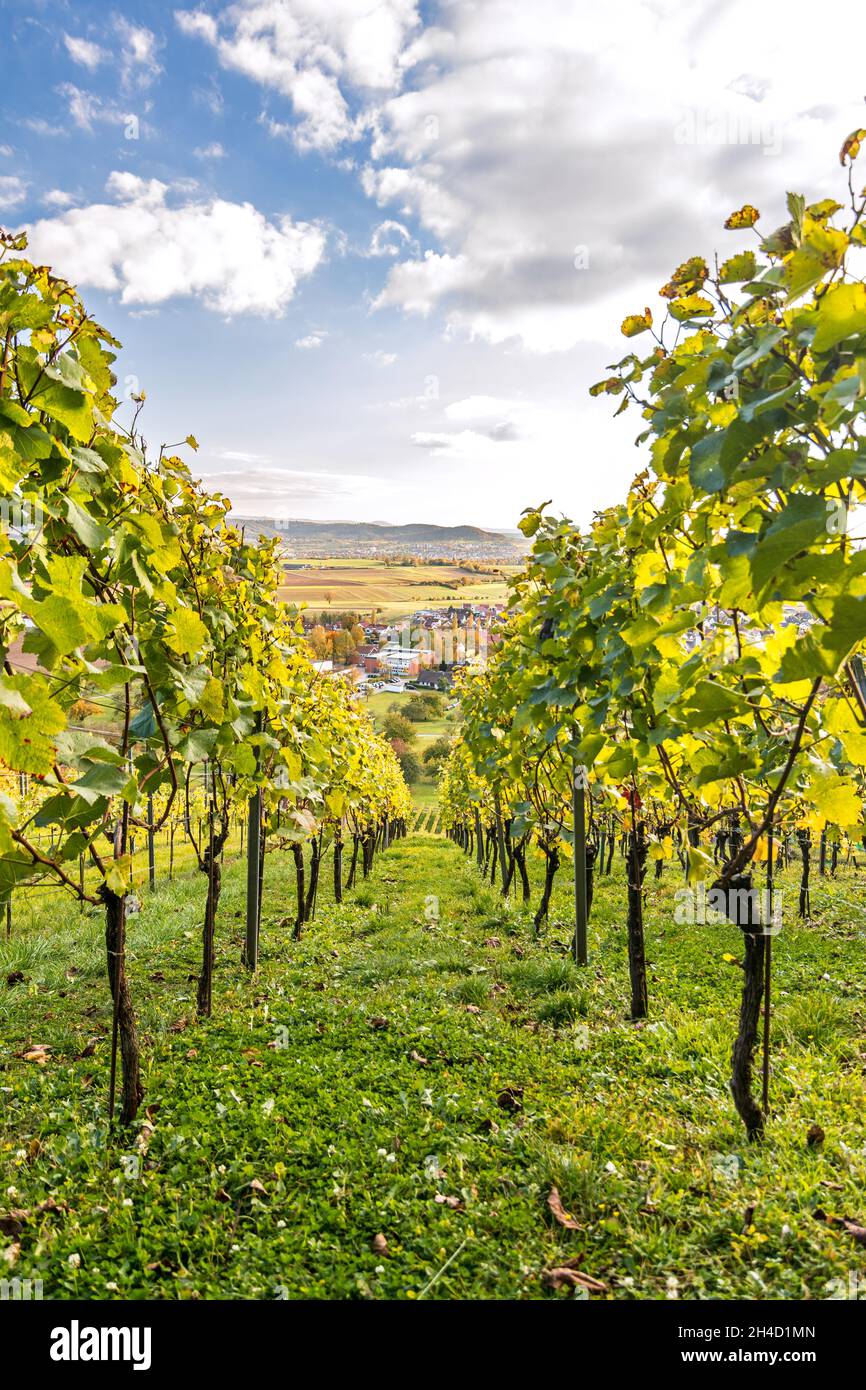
(323, 58)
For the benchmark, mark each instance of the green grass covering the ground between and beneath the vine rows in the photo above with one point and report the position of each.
(500, 1070)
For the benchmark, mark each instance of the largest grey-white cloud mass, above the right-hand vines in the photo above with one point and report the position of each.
(562, 179)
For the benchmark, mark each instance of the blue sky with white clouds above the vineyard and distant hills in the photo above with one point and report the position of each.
(373, 254)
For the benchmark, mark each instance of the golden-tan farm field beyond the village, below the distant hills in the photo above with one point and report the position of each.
(395, 591)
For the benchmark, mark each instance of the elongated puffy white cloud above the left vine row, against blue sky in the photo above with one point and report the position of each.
(148, 250)
